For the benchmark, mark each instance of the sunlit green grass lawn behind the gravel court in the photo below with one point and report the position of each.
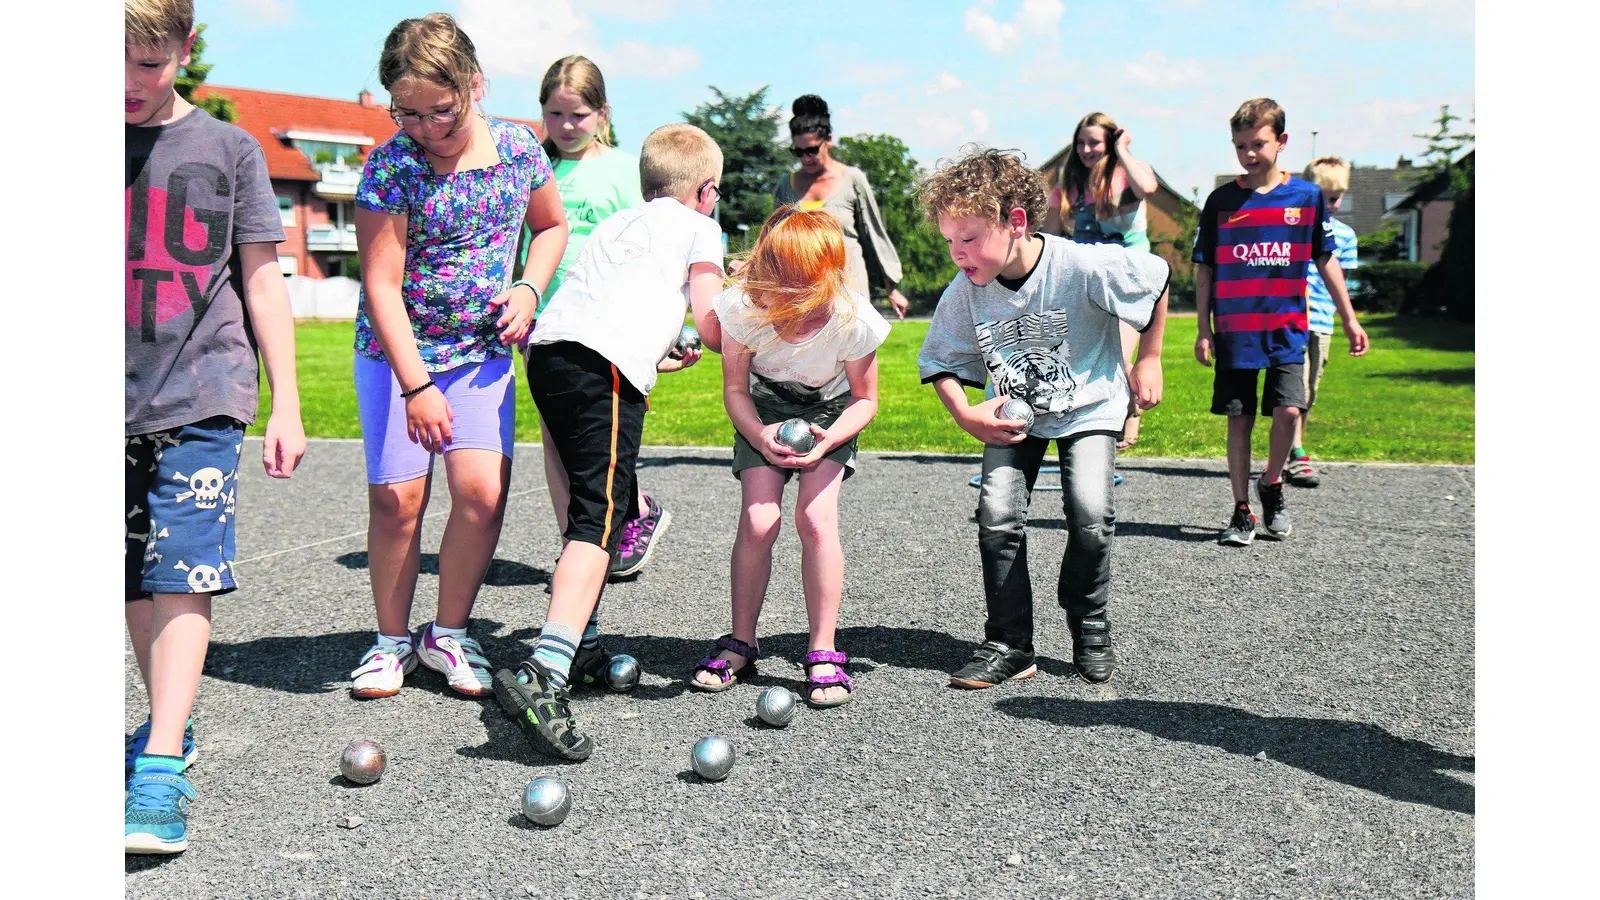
(1407, 401)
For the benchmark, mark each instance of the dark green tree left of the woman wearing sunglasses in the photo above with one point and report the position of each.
(746, 131)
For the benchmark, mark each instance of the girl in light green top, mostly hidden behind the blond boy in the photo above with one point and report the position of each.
(594, 180)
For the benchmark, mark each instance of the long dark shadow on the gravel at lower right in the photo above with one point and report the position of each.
(1356, 753)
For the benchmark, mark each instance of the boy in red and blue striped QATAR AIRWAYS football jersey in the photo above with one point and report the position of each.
(1257, 236)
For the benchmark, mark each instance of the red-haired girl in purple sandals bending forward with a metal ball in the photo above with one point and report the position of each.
(798, 344)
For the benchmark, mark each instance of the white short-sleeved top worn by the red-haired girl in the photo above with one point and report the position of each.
(815, 364)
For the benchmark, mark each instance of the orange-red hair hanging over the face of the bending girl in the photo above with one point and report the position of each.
(796, 268)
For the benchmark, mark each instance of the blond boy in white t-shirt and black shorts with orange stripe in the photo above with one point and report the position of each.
(593, 361)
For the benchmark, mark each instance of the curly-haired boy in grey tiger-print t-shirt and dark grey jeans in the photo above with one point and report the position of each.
(1036, 318)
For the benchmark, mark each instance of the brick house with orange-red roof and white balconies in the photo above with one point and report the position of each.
(316, 150)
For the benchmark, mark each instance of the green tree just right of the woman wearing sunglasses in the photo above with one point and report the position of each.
(894, 174)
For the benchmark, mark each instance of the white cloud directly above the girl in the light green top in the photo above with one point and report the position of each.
(521, 41)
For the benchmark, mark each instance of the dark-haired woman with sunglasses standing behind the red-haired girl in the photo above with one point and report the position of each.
(825, 183)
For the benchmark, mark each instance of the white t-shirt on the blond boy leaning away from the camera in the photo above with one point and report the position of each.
(626, 294)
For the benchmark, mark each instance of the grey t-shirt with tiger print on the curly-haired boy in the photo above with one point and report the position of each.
(1055, 340)
